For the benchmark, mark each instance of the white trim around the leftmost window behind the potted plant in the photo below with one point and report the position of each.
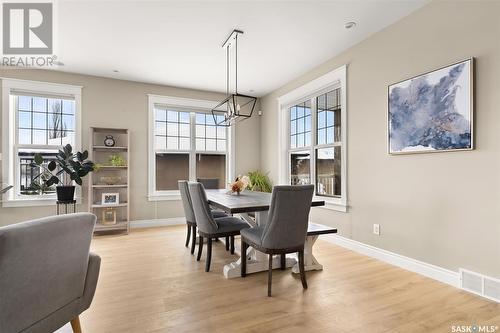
(11, 198)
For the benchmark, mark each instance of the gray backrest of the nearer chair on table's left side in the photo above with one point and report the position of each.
(204, 219)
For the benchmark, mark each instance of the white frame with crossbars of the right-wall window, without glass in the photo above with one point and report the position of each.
(330, 81)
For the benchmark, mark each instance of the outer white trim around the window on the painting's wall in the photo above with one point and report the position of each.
(334, 79)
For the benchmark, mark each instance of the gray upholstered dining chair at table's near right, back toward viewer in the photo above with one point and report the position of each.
(285, 230)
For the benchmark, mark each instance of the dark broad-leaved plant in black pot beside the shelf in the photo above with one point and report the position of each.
(72, 168)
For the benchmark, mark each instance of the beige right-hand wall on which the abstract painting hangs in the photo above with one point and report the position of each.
(439, 208)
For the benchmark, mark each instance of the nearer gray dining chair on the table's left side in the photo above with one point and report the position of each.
(208, 226)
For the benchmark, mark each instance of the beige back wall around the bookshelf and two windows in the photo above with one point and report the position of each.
(117, 103)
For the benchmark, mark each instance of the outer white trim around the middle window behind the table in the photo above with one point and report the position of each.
(183, 103)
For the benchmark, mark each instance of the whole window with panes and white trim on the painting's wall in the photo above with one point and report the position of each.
(313, 137)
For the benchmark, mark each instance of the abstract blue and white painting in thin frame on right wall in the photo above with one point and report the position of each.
(433, 111)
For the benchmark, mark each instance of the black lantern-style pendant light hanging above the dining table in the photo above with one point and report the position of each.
(235, 107)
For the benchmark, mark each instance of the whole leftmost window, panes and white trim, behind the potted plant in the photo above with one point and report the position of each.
(39, 118)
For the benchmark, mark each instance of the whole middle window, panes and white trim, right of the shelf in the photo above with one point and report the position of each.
(187, 144)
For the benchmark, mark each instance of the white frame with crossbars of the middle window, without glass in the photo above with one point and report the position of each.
(192, 106)
